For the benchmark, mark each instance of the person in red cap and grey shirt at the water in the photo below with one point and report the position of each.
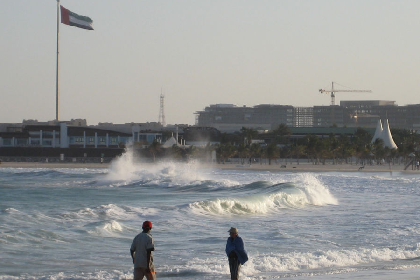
(141, 252)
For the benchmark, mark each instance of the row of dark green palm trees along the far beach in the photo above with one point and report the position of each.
(278, 143)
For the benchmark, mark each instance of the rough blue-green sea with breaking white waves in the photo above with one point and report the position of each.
(79, 223)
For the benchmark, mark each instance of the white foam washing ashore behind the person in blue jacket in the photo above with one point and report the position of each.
(308, 263)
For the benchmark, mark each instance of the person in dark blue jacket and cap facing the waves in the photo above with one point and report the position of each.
(236, 253)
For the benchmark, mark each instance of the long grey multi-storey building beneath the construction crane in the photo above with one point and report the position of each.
(360, 113)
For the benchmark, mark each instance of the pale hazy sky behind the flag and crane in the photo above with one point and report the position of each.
(203, 52)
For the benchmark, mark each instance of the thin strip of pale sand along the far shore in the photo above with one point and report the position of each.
(302, 167)
